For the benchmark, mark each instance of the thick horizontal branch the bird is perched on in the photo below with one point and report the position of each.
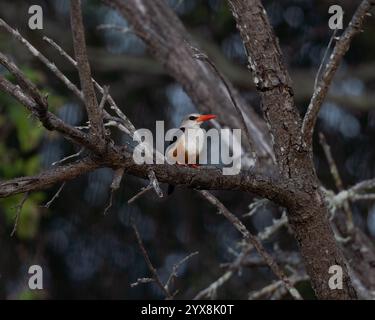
(203, 178)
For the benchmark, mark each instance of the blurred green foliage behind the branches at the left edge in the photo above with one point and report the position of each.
(20, 140)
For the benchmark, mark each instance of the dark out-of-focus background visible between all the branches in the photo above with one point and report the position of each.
(85, 254)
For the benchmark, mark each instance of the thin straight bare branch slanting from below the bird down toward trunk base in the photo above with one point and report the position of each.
(254, 241)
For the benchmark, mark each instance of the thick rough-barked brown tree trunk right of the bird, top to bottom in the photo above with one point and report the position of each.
(307, 211)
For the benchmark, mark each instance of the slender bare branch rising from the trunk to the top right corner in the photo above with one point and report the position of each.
(340, 49)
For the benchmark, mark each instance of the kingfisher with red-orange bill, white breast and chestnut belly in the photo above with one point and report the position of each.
(186, 147)
